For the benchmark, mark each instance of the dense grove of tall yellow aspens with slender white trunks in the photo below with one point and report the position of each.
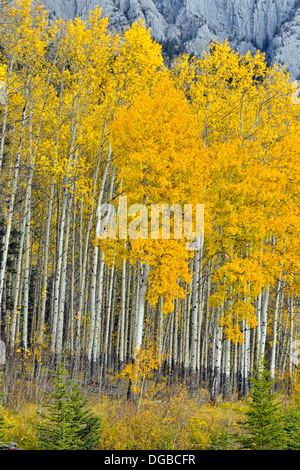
(88, 115)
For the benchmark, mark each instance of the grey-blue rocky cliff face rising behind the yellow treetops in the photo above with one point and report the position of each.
(269, 25)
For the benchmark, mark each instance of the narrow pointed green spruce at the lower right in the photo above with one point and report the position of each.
(264, 425)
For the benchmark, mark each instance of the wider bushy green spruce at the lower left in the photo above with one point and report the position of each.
(66, 423)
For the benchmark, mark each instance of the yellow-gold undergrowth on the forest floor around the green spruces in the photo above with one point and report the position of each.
(164, 417)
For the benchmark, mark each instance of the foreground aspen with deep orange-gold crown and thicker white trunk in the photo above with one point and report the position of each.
(148, 193)
